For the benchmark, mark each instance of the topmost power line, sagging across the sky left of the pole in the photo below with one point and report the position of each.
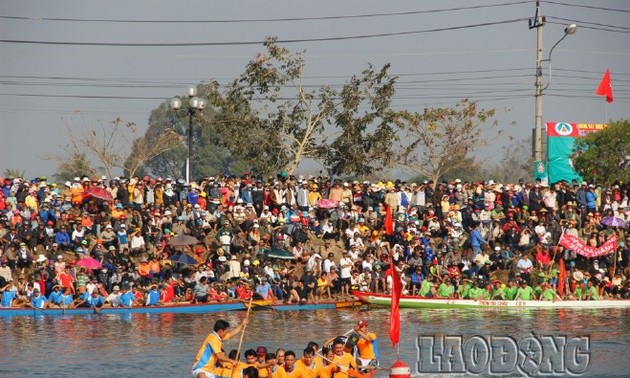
(314, 18)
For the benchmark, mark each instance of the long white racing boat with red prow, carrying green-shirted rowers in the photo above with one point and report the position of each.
(443, 303)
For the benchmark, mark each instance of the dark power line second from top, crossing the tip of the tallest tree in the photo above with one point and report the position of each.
(241, 43)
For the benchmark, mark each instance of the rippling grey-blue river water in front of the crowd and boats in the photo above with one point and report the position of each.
(165, 345)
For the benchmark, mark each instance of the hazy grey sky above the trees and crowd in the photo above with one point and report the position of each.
(487, 56)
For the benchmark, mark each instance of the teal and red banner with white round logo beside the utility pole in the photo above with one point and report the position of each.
(560, 138)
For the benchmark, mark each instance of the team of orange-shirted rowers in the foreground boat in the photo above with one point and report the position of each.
(334, 359)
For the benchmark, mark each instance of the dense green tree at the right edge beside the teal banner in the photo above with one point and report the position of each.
(604, 156)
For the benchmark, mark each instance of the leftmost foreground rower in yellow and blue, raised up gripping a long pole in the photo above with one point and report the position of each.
(210, 357)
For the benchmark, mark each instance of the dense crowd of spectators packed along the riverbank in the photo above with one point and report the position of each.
(298, 239)
